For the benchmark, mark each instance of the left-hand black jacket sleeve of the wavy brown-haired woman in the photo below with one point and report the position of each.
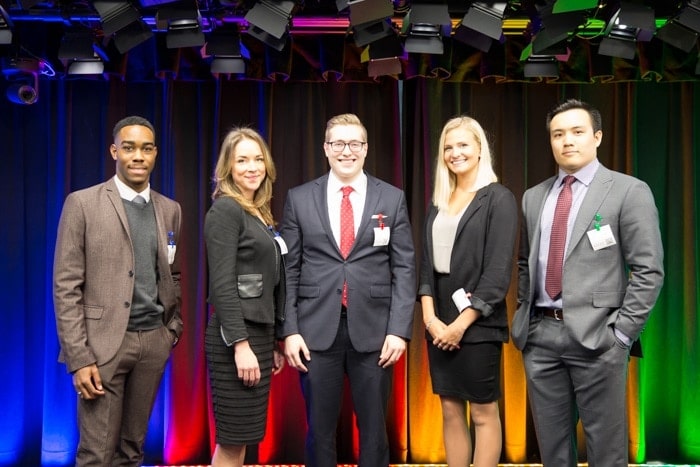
(223, 227)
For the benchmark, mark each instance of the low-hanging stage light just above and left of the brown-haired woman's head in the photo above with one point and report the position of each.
(227, 52)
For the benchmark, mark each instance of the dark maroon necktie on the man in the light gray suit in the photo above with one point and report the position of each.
(557, 242)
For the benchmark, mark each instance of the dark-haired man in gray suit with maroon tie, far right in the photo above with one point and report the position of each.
(578, 317)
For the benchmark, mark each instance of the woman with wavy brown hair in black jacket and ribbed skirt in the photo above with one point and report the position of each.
(246, 291)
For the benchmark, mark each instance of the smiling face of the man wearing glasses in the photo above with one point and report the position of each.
(346, 164)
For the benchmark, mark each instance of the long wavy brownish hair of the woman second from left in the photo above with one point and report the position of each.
(223, 178)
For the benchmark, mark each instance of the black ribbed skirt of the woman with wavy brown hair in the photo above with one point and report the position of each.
(240, 411)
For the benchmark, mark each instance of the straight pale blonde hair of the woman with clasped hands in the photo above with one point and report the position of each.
(446, 181)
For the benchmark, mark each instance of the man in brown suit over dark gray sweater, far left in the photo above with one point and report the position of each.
(117, 298)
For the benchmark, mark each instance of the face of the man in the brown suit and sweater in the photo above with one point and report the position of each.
(135, 152)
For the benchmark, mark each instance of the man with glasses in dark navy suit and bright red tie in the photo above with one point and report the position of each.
(349, 309)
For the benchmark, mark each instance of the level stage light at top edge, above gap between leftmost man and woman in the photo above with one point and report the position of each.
(183, 23)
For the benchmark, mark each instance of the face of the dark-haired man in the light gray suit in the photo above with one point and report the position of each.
(574, 143)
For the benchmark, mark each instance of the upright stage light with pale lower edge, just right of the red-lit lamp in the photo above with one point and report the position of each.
(425, 25)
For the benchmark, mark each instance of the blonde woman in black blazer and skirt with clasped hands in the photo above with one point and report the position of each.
(469, 242)
